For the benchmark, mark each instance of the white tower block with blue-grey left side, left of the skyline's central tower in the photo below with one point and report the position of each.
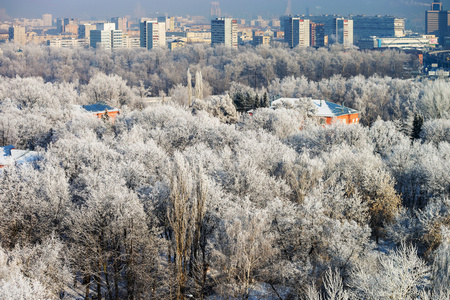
(152, 34)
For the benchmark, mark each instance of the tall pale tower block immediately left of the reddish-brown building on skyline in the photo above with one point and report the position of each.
(296, 32)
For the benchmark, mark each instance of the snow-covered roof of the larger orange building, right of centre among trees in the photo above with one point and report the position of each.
(323, 108)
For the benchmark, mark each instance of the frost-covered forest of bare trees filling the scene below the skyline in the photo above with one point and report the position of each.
(191, 199)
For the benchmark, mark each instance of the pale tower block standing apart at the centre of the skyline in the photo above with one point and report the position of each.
(224, 31)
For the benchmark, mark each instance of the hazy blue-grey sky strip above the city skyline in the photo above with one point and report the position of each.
(236, 8)
